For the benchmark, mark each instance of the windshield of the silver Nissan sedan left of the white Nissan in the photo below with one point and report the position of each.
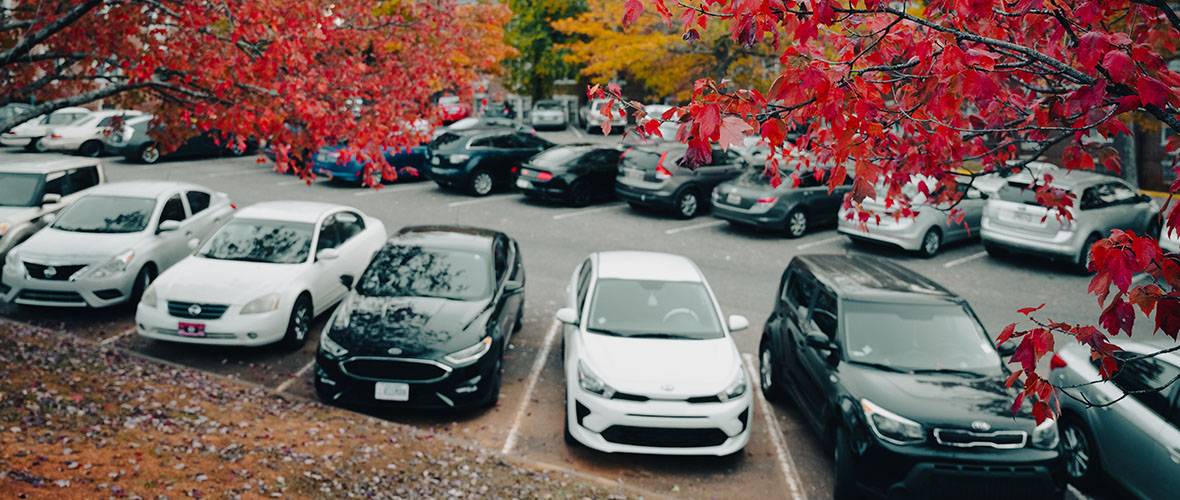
(107, 214)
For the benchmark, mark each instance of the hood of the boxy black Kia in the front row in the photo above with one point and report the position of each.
(939, 400)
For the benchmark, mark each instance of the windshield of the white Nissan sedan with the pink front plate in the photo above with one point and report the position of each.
(261, 241)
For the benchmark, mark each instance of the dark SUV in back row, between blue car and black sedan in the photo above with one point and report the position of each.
(478, 161)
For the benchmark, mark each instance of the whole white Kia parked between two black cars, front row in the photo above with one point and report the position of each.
(650, 365)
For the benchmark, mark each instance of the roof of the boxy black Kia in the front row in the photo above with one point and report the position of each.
(873, 279)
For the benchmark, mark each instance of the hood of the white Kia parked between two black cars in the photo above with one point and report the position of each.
(663, 367)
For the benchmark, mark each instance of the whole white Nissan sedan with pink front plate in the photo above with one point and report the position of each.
(258, 281)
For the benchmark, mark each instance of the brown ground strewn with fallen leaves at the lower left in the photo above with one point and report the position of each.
(83, 422)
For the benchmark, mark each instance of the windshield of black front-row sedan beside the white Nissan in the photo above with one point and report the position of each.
(416, 272)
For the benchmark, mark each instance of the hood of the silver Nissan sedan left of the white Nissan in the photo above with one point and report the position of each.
(51, 246)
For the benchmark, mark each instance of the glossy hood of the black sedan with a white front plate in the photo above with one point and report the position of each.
(421, 327)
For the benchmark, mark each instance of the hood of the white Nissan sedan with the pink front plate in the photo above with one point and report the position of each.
(224, 282)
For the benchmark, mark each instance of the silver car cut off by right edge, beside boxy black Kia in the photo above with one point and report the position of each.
(1137, 440)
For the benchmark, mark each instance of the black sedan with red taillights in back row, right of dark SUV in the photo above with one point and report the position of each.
(576, 174)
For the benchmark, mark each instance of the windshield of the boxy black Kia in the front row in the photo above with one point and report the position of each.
(917, 338)
